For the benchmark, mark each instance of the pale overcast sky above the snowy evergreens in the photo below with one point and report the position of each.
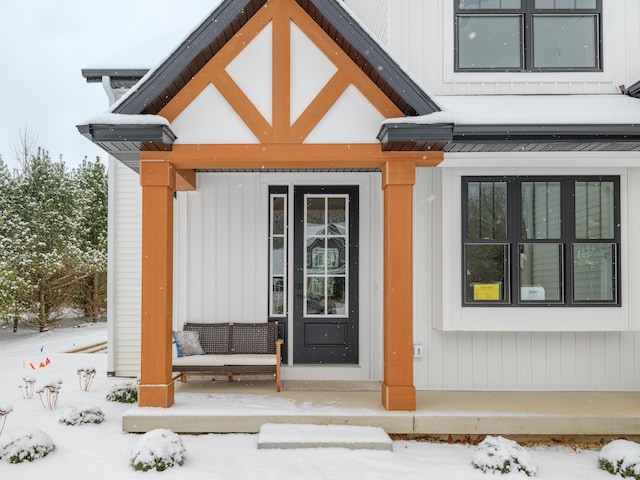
(44, 45)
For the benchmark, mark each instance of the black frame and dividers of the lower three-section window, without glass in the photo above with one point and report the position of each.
(567, 239)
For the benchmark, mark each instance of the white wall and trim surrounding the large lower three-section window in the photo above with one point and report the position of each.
(520, 359)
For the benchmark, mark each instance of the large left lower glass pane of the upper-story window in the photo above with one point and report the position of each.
(490, 41)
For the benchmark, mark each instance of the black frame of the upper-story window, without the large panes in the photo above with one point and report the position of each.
(527, 13)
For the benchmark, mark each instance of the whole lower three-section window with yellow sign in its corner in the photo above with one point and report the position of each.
(552, 241)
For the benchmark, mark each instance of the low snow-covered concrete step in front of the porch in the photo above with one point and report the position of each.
(291, 436)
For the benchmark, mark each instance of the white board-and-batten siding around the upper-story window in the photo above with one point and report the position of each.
(421, 37)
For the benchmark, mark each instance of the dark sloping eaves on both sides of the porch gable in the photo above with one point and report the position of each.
(197, 49)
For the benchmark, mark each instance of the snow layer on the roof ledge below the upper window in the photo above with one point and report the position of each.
(531, 109)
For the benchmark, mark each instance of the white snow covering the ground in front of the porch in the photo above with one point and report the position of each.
(102, 452)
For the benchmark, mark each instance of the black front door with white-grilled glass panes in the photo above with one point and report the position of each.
(325, 306)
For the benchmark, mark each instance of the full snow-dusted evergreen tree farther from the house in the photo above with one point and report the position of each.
(39, 234)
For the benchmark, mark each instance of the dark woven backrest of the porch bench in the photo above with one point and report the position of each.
(225, 338)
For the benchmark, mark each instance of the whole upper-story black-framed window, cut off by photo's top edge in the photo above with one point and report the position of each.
(528, 35)
